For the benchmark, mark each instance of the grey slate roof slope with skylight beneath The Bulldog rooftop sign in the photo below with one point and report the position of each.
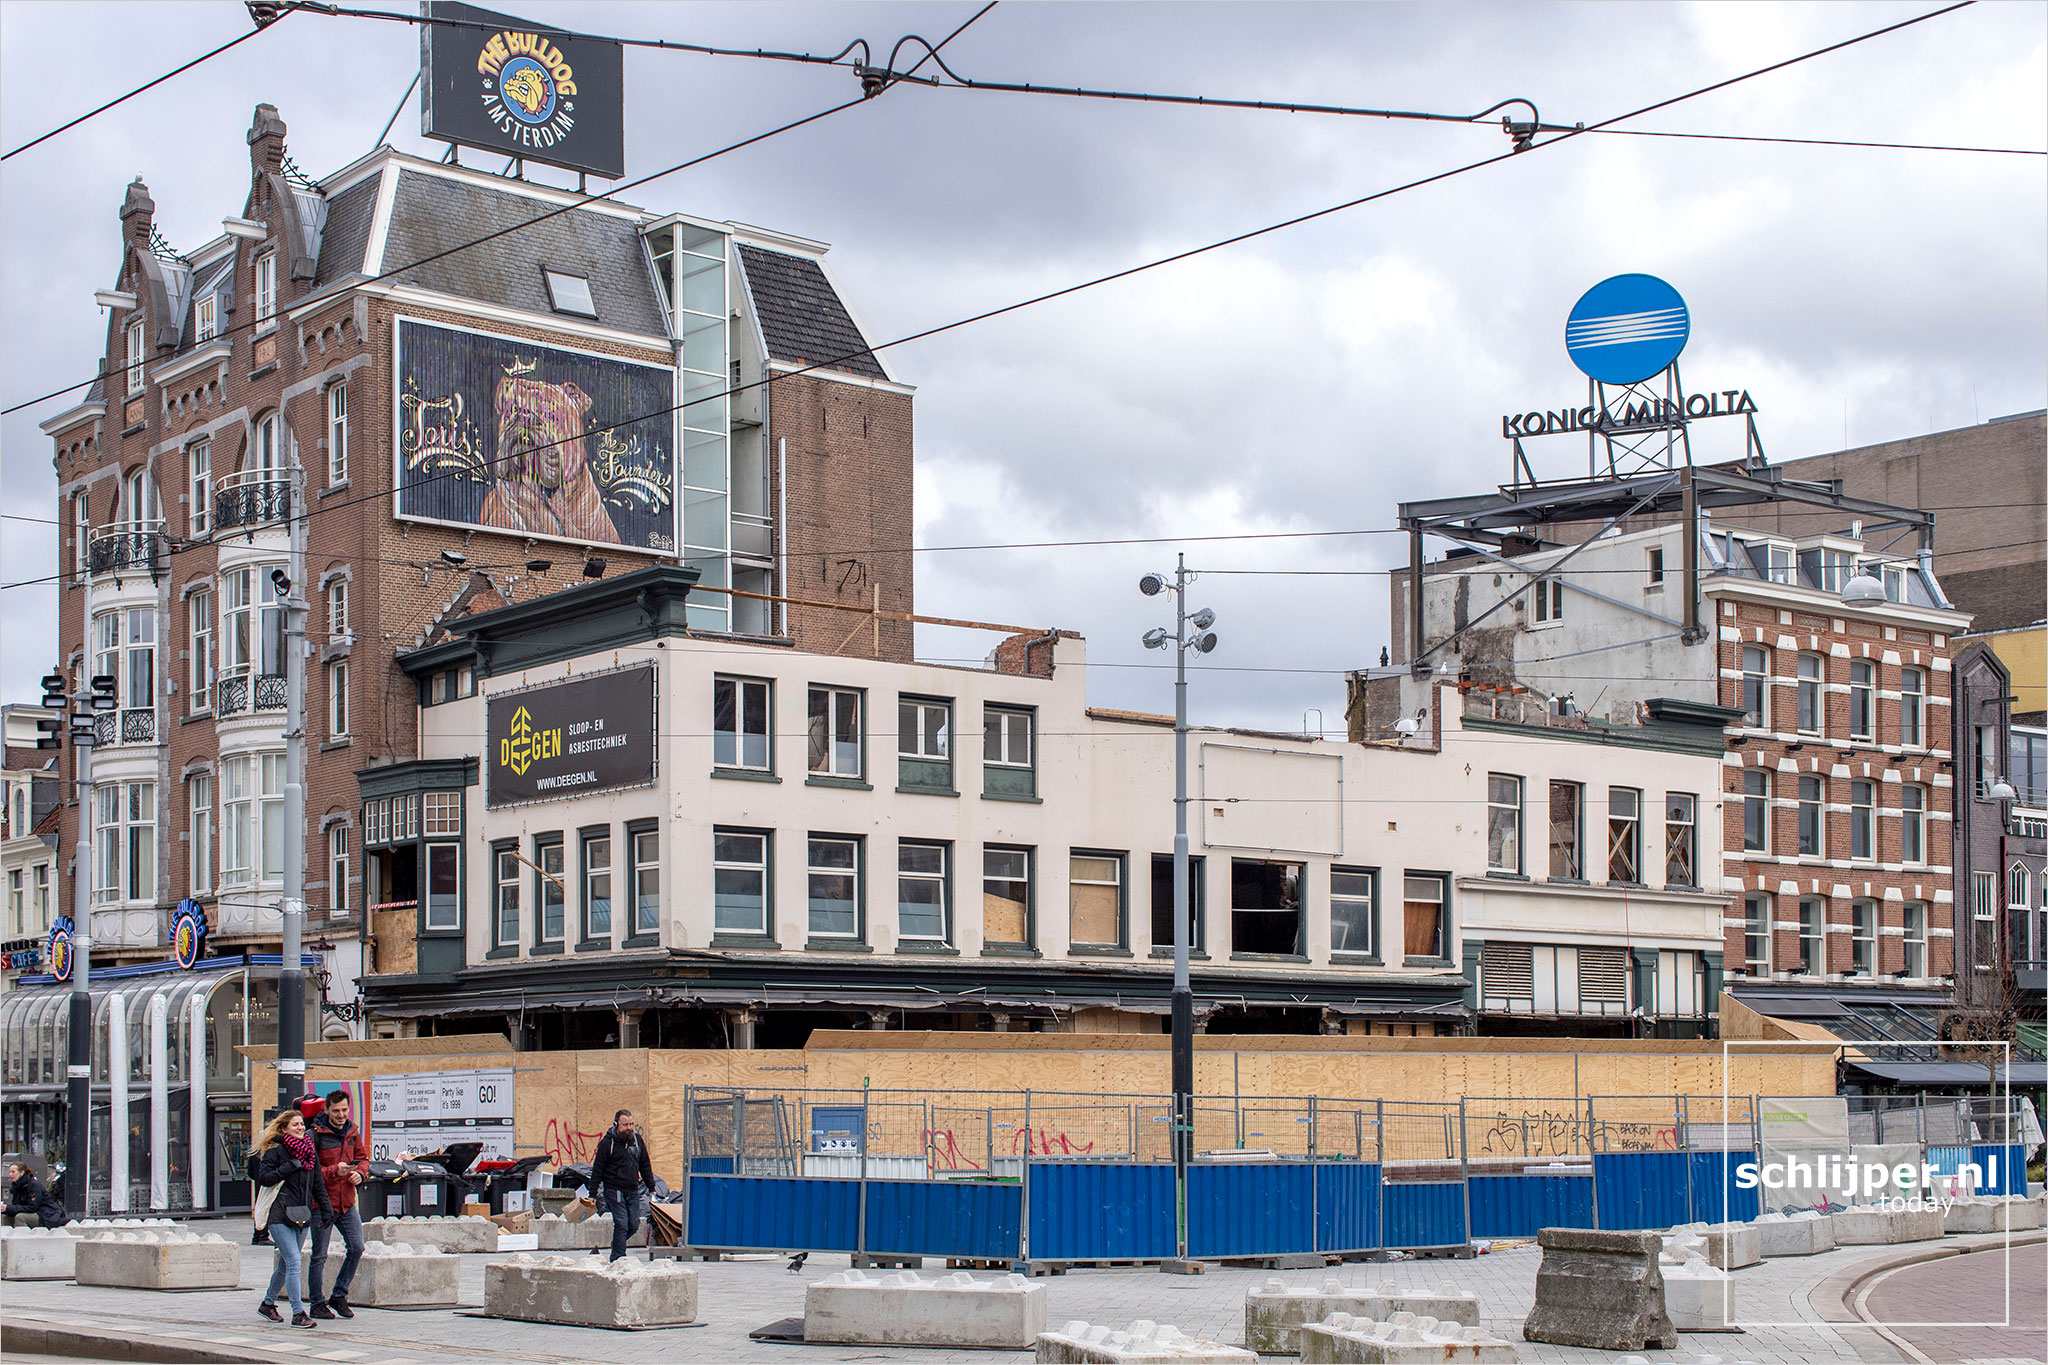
(433, 214)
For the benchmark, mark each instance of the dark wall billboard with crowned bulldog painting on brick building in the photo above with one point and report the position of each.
(534, 441)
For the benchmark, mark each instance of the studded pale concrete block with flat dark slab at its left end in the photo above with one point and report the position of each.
(910, 1311)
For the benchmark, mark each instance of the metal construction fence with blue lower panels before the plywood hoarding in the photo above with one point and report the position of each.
(1031, 1176)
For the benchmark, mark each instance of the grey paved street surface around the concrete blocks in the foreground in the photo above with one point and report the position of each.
(738, 1296)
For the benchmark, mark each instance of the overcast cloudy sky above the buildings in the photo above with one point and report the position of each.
(1304, 382)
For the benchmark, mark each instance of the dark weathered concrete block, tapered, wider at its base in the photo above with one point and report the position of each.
(1601, 1290)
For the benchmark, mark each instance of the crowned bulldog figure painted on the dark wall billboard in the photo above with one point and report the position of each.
(544, 464)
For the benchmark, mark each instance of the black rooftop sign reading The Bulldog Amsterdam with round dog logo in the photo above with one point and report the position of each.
(503, 85)
